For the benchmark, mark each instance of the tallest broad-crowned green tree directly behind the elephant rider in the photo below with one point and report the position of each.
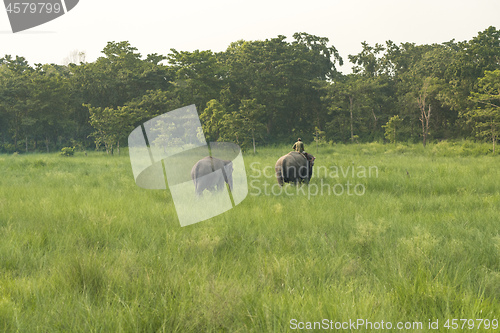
(285, 77)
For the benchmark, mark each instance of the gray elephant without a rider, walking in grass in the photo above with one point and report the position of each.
(205, 178)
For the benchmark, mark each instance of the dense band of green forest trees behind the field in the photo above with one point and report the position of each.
(259, 91)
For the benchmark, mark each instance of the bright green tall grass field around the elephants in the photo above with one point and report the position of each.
(83, 249)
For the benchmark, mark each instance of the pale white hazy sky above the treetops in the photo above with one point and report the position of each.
(156, 26)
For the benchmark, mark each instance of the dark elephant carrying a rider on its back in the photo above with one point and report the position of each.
(294, 167)
